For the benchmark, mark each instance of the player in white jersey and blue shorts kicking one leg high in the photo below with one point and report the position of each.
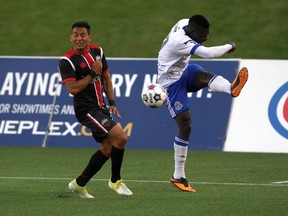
(179, 77)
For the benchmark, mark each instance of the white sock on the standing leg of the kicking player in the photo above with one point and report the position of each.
(180, 155)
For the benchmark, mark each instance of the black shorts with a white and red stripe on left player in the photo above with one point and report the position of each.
(99, 121)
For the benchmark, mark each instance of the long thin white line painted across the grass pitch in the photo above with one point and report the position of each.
(154, 181)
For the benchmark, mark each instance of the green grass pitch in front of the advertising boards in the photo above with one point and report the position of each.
(33, 181)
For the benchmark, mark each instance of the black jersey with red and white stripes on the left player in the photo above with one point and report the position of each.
(75, 66)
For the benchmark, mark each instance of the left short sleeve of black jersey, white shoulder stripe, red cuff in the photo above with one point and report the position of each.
(66, 70)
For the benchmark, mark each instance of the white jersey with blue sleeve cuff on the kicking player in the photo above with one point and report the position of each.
(174, 54)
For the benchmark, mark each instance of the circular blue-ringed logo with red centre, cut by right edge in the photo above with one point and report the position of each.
(278, 110)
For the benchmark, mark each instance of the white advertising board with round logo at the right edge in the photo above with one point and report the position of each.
(259, 117)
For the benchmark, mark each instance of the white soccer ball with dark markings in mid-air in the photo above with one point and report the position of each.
(154, 96)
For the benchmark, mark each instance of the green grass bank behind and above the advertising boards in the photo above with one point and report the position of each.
(136, 28)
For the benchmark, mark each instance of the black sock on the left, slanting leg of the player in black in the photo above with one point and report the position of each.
(96, 162)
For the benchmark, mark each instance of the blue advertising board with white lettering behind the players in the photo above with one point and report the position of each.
(37, 110)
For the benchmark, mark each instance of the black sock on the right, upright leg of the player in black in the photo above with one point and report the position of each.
(116, 160)
